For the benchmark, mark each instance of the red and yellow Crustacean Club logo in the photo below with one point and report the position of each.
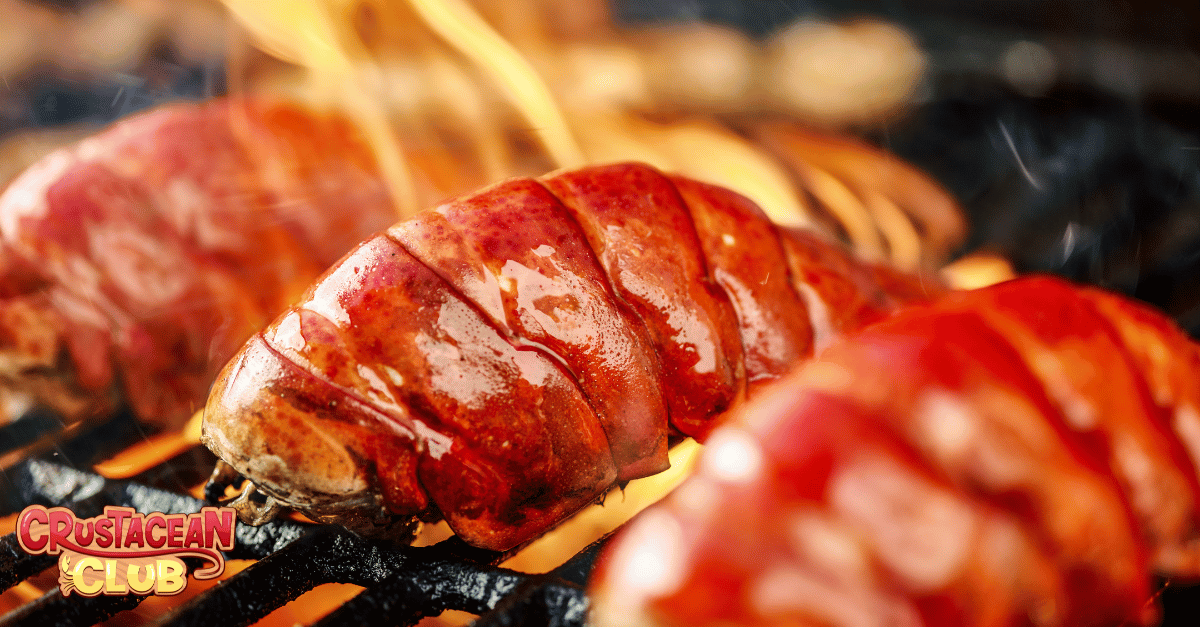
(127, 553)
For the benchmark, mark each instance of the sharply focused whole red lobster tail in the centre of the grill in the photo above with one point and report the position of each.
(505, 360)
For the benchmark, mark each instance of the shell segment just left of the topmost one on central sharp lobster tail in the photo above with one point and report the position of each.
(521, 260)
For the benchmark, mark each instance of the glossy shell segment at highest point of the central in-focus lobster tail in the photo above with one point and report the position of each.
(647, 244)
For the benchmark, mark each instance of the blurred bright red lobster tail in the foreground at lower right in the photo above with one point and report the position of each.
(1022, 455)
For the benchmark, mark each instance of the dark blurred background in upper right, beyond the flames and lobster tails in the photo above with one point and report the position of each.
(1070, 130)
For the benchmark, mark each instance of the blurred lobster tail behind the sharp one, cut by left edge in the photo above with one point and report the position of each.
(135, 264)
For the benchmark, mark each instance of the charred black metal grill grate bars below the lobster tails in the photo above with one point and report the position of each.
(404, 584)
